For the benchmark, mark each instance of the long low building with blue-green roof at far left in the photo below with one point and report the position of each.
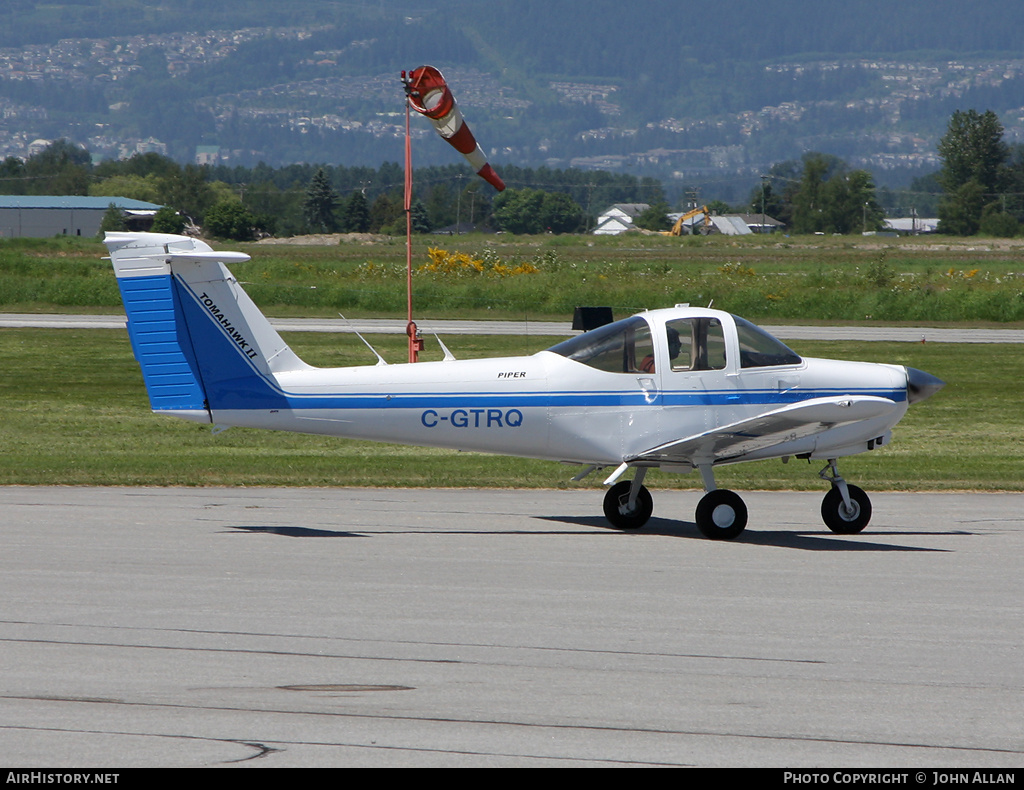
(44, 217)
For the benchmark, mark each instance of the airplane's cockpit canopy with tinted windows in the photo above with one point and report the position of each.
(694, 343)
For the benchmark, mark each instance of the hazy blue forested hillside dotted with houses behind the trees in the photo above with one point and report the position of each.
(701, 107)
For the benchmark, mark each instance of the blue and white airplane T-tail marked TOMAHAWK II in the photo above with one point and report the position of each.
(202, 344)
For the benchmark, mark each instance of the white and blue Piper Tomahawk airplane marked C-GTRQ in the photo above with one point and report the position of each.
(680, 389)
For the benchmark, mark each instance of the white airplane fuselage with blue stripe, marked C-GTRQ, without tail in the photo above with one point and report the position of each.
(547, 407)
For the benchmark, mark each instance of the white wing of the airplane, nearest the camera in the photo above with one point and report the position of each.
(777, 428)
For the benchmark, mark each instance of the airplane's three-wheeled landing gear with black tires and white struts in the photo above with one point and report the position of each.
(721, 514)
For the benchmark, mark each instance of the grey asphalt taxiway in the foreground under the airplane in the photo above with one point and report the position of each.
(352, 628)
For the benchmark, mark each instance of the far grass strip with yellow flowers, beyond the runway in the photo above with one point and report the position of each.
(804, 279)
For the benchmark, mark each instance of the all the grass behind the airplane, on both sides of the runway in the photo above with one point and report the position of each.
(75, 411)
